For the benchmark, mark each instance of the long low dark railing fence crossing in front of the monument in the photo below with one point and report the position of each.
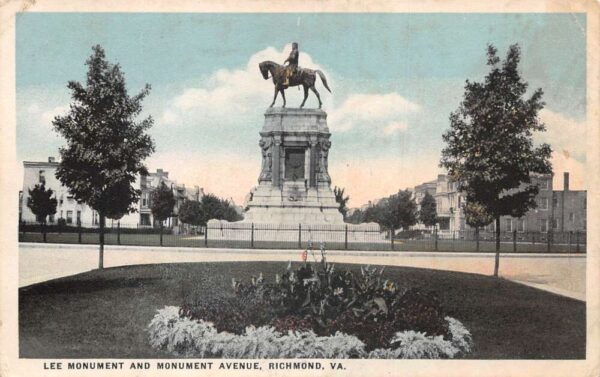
(300, 236)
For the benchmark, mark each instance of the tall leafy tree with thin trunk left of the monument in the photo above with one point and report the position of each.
(105, 145)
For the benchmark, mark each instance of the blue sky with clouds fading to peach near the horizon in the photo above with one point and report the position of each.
(395, 79)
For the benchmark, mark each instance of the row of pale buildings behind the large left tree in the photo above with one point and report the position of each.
(75, 212)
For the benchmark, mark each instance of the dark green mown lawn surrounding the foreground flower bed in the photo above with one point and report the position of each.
(104, 314)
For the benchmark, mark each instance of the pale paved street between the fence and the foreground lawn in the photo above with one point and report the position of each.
(559, 273)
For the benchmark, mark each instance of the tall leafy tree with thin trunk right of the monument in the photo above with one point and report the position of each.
(489, 148)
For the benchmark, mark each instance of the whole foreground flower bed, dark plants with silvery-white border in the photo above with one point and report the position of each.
(314, 311)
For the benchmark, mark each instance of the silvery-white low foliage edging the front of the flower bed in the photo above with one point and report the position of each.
(182, 336)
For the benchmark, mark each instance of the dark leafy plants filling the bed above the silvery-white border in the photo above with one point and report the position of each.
(320, 298)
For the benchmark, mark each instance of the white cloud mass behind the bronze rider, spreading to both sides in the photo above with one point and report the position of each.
(234, 97)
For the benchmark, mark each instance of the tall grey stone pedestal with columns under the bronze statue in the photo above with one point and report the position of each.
(294, 186)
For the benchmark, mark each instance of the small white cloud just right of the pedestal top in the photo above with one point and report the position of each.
(371, 110)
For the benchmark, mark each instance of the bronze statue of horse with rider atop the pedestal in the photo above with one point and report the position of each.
(285, 76)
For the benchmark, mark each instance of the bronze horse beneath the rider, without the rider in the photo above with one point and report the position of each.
(303, 76)
